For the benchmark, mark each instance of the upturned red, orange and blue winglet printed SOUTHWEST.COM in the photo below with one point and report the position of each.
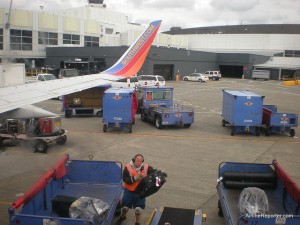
(133, 59)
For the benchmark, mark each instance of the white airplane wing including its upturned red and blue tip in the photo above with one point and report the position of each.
(13, 97)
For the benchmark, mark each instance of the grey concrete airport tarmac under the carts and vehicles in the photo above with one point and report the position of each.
(189, 156)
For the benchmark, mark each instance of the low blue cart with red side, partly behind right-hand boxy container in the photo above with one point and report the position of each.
(275, 122)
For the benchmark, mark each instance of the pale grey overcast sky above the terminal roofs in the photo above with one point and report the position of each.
(185, 13)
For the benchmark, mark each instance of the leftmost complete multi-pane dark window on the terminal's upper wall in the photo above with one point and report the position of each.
(21, 40)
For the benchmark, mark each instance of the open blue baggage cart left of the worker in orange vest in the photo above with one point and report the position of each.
(48, 200)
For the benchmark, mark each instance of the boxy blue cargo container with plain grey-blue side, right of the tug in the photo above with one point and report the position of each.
(243, 111)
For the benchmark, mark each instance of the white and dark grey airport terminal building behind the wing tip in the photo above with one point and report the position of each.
(94, 33)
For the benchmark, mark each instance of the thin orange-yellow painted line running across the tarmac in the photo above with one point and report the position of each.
(198, 138)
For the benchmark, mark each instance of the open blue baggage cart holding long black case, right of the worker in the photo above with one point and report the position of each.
(281, 193)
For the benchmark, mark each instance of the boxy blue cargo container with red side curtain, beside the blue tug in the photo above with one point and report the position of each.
(119, 108)
